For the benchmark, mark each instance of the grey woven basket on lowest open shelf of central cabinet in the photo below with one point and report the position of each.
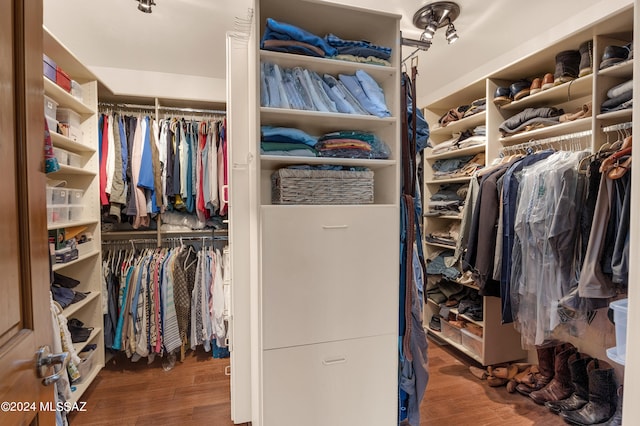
(292, 186)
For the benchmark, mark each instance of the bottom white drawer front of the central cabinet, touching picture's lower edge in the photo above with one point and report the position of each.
(350, 382)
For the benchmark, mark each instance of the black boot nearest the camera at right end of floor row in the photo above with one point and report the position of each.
(602, 396)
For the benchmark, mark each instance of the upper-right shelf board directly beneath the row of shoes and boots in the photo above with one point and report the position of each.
(562, 93)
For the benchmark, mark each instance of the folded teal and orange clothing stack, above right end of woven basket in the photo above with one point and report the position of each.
(352, 144)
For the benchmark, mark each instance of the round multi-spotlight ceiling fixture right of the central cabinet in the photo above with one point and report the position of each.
(429, 18)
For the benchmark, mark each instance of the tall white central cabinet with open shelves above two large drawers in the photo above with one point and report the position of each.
(321, 281)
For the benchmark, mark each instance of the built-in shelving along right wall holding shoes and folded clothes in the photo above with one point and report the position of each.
(500, 341)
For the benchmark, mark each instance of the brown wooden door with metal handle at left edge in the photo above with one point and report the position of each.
(25, 318)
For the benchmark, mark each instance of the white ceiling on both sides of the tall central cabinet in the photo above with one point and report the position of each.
(187, 37)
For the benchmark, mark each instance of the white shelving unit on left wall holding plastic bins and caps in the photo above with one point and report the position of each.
(87, 268)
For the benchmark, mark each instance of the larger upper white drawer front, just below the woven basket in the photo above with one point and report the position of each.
(328, 273)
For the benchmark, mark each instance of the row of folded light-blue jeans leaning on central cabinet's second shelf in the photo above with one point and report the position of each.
(298, 88)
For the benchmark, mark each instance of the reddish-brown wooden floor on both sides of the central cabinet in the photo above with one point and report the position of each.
(196, 392)
